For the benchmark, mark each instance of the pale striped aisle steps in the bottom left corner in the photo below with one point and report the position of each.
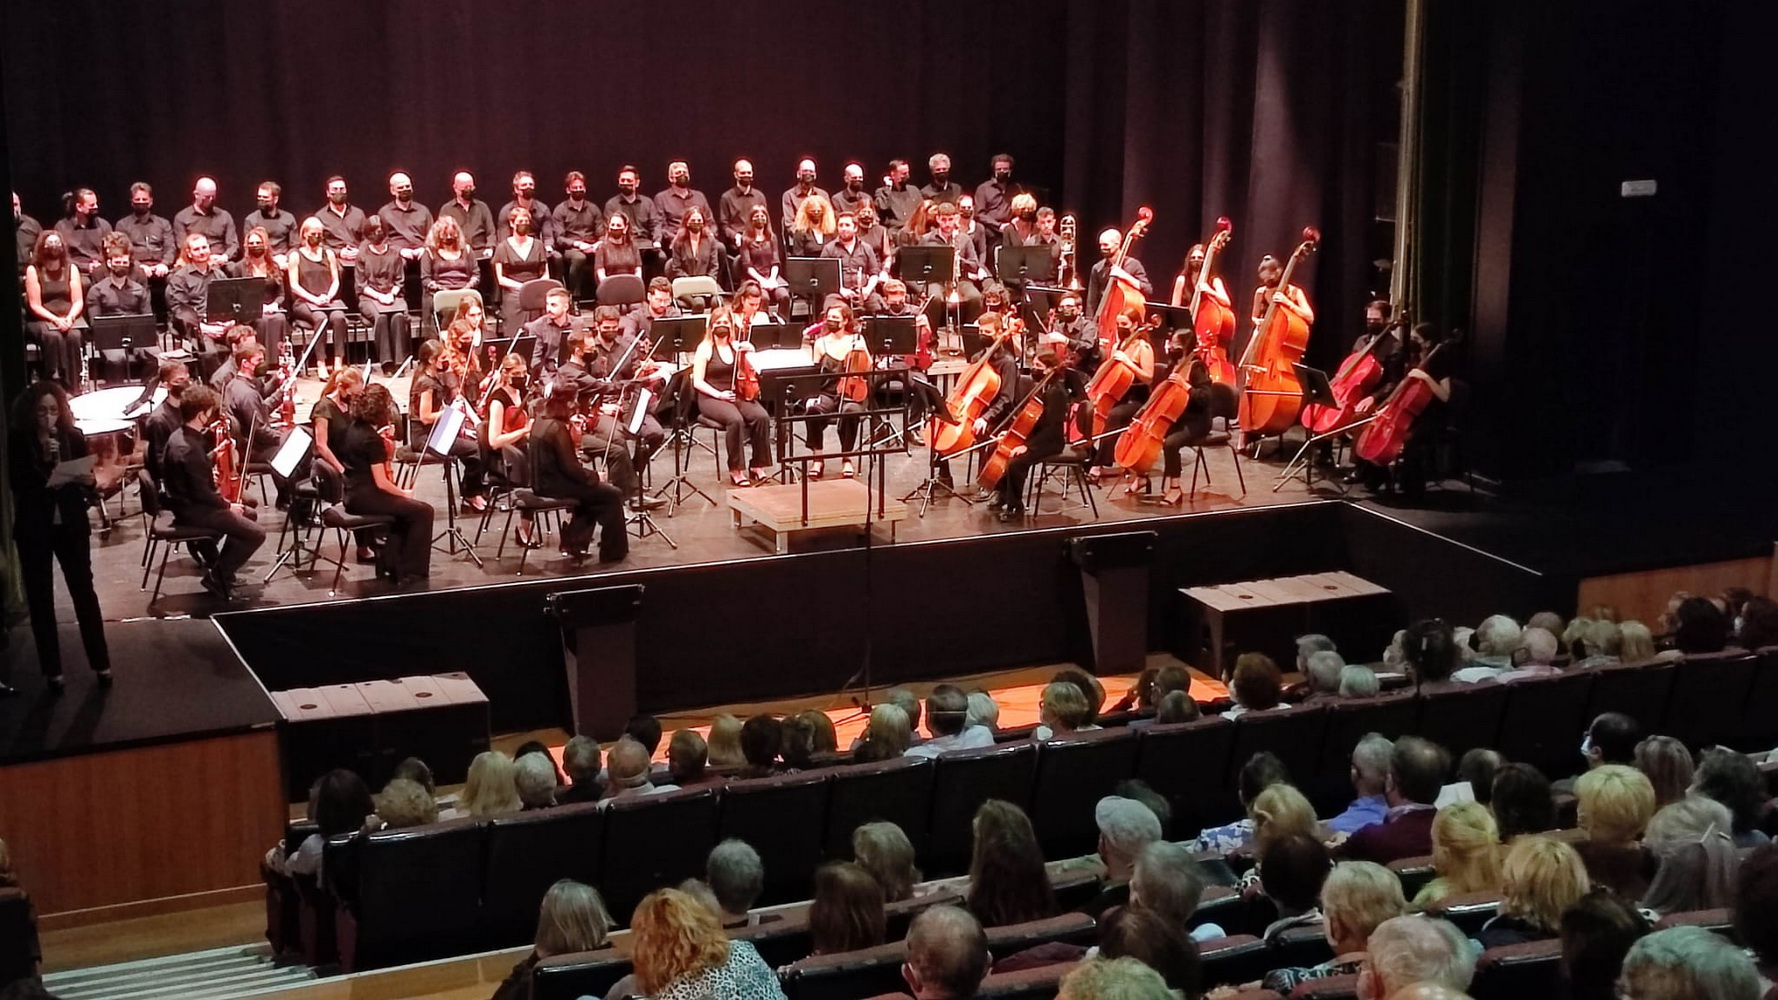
(218, 974)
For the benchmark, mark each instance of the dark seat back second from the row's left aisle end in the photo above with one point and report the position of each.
(527, 853)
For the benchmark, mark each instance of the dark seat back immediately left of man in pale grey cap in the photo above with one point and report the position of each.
(1073, 775)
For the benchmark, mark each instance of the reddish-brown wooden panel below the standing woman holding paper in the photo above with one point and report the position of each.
(109, 830)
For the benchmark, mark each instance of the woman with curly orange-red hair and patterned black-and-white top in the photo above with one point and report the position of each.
(682, 955)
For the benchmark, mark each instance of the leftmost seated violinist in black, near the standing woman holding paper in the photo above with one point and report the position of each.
(193, 496)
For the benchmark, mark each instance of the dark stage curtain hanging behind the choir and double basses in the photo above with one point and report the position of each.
(1269, 113)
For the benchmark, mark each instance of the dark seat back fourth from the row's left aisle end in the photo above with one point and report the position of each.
(785, 819)
